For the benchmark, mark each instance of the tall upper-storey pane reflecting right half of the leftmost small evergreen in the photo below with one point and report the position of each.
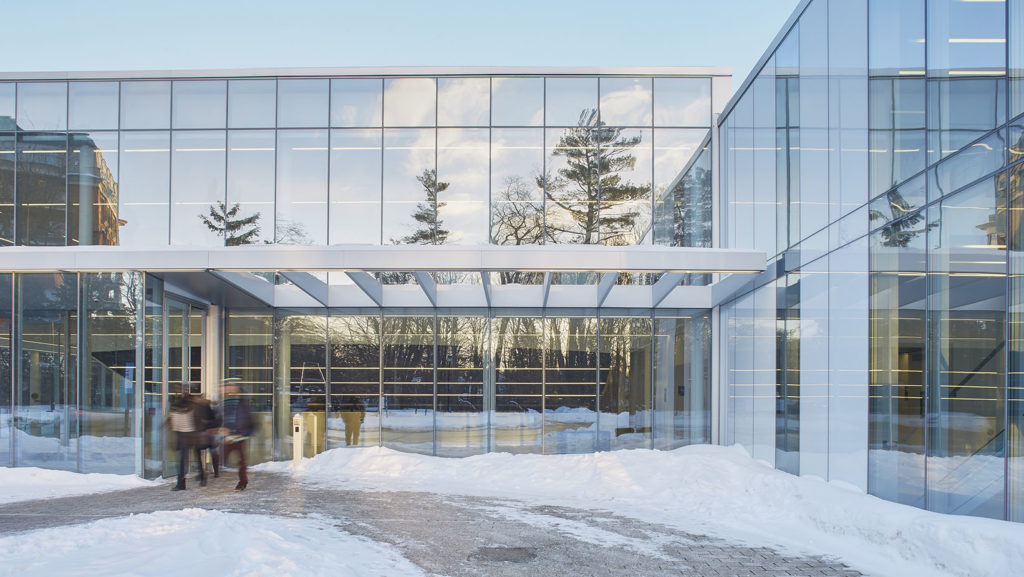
(250, 186)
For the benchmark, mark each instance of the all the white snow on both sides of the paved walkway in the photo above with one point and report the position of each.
(702, 489)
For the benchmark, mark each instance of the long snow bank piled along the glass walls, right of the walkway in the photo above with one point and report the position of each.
(715, 490)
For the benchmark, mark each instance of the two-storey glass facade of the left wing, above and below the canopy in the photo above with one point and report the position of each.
(90, 361)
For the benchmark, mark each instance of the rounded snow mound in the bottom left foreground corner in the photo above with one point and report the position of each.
(198, 543)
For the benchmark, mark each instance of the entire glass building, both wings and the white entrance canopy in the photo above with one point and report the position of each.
(824, 269)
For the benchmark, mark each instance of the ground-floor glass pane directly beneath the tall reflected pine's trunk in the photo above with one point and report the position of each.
(571, 385)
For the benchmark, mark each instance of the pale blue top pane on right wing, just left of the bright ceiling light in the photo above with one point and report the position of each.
(897, 36)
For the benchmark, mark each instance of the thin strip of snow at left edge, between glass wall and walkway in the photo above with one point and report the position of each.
(31, 483)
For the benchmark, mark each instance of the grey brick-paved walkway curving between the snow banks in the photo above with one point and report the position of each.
(452, 537)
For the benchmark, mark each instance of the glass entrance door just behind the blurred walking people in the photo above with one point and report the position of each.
(186, 347)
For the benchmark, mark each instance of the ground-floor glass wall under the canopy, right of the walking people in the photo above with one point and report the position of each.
(457, 383)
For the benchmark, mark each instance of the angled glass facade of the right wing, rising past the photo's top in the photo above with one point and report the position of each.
(882, 346)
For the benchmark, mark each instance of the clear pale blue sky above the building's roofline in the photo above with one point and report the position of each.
(104, 35)
